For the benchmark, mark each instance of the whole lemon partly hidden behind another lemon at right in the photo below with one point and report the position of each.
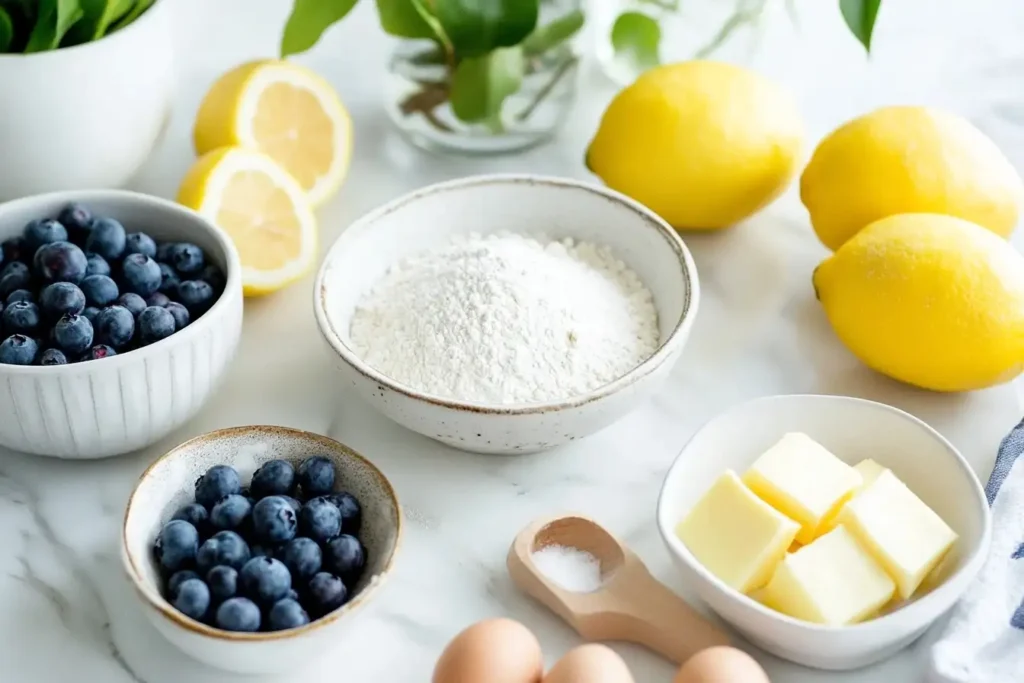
(908, 160)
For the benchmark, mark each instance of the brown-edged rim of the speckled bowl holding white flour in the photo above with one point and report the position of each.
(665, 352)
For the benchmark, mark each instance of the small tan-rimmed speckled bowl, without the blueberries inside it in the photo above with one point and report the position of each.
(169, 484)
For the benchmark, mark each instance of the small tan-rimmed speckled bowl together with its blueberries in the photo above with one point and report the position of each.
(249, 546)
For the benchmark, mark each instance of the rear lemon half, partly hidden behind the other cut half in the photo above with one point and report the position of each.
(286, 111)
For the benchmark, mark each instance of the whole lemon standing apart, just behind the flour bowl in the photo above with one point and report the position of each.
(703, 144)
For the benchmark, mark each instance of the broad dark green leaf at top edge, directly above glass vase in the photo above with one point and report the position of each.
(478, 27)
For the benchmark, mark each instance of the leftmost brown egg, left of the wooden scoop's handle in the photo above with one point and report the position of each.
(497, 651)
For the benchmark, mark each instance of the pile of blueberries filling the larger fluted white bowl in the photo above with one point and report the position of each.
(81, 288)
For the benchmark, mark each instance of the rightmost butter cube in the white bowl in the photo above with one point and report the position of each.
(903, 534)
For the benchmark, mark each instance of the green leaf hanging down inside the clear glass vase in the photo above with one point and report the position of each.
(481, 86)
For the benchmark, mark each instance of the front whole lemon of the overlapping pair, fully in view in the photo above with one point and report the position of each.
(928, 300)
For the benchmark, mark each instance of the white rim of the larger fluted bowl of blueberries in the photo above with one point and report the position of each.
(233, 277)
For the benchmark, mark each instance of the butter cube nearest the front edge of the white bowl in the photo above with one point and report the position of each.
(833, 581)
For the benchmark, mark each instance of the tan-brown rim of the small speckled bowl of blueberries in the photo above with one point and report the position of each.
(158, 603)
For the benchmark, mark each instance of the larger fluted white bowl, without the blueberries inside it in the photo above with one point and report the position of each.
(125, 403)
